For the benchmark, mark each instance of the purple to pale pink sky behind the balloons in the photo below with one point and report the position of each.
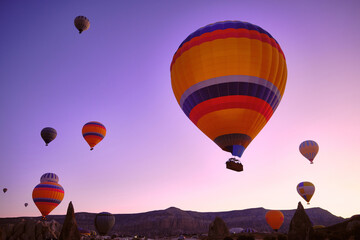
(153, 157)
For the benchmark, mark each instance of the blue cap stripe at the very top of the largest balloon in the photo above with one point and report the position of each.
(225, 25)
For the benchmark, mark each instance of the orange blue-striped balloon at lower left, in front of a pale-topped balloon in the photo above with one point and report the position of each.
(47, 196)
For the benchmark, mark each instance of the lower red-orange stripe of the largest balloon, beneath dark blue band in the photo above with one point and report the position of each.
(228, 102)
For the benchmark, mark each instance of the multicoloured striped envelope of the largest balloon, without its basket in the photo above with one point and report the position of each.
(228, 78)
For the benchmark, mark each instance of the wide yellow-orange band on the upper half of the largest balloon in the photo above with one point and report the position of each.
(230, 56)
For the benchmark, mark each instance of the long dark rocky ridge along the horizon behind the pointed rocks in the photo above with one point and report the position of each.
(174, 221)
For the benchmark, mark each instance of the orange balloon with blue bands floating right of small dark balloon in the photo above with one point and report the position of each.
(93, 132)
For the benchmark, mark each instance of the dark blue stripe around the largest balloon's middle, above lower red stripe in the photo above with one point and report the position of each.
(230, 89)
